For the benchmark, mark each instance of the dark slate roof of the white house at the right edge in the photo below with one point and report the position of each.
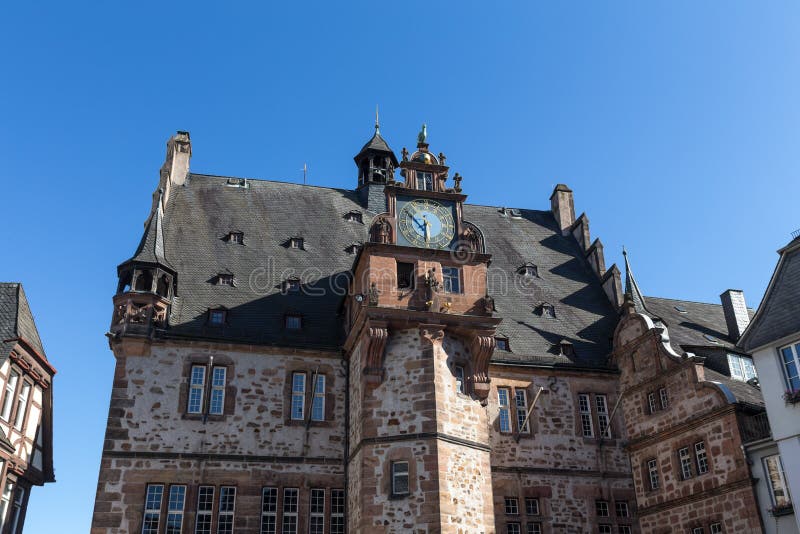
(779, 313)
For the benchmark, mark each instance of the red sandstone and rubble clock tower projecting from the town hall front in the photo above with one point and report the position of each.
(420, 334)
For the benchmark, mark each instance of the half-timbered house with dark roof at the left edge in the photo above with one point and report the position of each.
(26, 409)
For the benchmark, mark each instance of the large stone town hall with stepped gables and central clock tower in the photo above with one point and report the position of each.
(385, 359)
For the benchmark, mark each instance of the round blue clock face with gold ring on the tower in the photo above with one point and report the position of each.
(426, 223)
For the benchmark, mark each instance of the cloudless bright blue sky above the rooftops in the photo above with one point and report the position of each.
(675, 123)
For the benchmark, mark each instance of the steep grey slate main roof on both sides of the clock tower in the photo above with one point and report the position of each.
(202, 212)
